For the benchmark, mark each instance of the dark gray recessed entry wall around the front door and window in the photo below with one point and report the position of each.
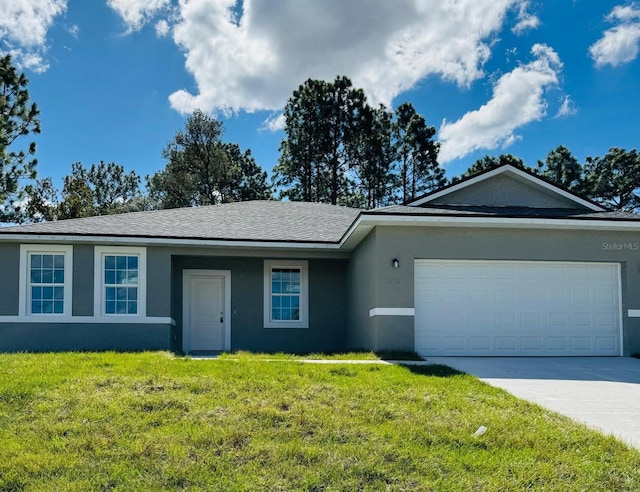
(327, 305)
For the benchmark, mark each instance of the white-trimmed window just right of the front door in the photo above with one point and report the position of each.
(286, 300)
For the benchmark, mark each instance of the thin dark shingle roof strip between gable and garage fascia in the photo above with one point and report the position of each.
(513, 212)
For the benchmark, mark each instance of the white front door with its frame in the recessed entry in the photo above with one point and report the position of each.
(205, 307)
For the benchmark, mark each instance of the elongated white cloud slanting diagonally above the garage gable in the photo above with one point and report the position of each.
(518, 99)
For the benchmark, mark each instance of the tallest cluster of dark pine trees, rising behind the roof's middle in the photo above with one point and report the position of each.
(340, 150)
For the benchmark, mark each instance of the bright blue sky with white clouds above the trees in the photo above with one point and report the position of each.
(115, 79)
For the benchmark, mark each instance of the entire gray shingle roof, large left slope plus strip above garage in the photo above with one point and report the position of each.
(273, 221)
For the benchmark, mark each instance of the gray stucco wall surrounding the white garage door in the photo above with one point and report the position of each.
(396, 290)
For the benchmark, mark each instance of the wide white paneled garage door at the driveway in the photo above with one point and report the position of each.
(485, 308)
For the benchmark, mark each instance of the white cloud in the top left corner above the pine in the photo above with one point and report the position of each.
(23, 29)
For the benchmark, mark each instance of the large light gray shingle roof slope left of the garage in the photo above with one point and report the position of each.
(240, 221)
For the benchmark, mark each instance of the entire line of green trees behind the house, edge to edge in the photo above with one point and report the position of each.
(337, 149)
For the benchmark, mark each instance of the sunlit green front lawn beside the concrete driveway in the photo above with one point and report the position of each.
(152, 421)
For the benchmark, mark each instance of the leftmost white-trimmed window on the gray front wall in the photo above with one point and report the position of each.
(45, 280)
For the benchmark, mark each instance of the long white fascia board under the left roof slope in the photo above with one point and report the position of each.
(145, 241)
